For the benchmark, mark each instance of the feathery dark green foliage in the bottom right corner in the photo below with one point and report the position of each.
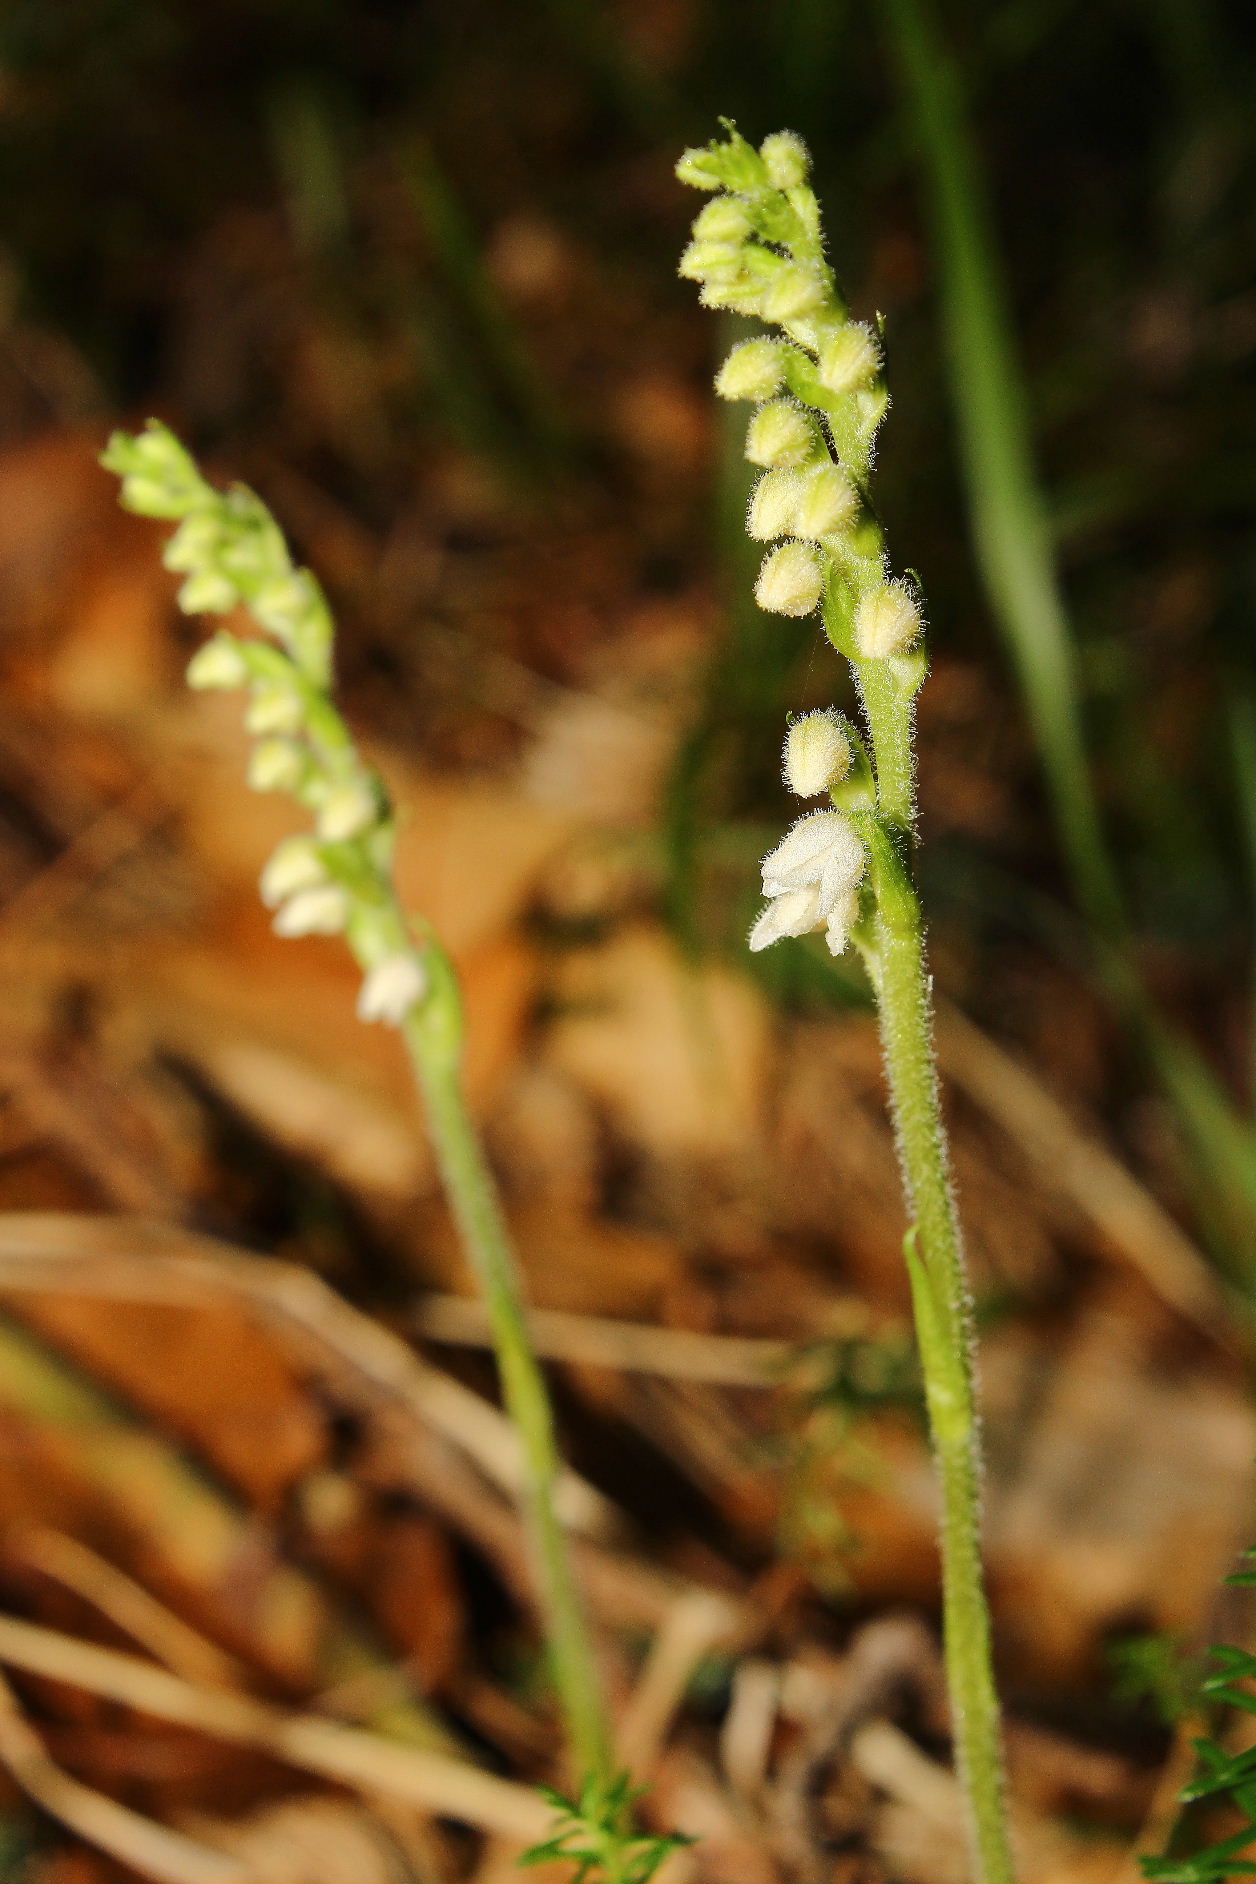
(1221, 1778)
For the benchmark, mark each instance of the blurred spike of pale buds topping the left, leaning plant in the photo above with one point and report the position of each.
(233, 557)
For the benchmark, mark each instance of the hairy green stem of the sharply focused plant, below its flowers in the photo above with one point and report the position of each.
(944, 1335)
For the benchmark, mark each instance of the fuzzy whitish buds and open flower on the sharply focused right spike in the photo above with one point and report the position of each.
(820, 395)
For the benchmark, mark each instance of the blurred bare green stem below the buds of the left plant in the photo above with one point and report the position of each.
(434, 1043)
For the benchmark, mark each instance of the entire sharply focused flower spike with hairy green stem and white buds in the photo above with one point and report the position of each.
(818, 385)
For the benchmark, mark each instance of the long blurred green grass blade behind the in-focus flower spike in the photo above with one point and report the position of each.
(1012, 538)
